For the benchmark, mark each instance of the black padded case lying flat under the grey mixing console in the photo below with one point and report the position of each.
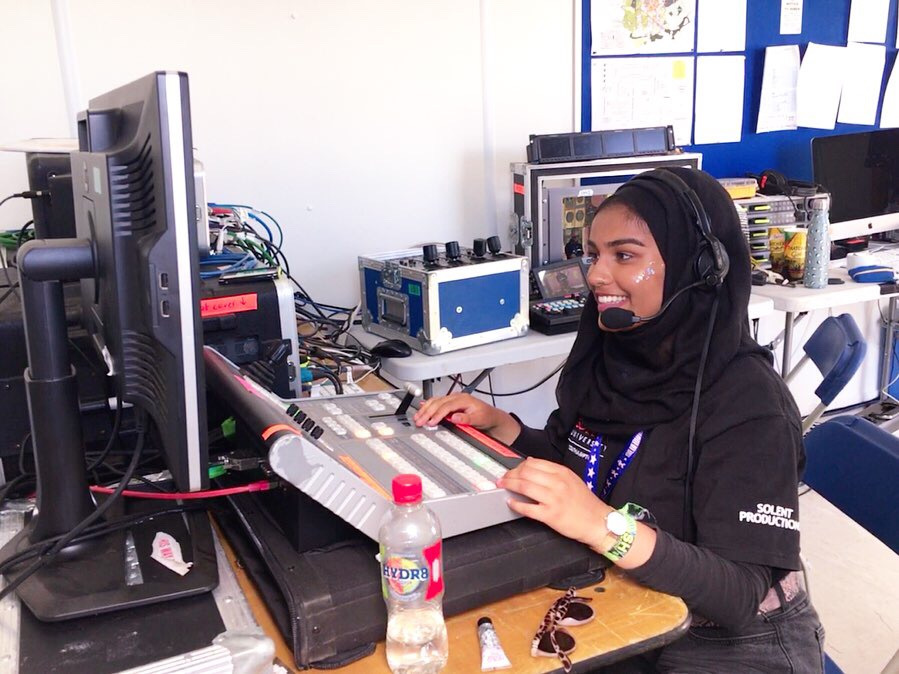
(328, 603)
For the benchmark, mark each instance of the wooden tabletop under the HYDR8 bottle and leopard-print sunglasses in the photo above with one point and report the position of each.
(629, 619)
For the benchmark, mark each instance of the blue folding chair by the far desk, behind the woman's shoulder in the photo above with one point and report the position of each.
(837, 348)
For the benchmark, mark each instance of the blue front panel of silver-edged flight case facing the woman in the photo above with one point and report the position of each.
(479, 297)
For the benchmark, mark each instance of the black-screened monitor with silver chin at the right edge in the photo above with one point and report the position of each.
(861, 173)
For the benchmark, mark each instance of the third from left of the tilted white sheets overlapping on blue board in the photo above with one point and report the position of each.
(861, 87)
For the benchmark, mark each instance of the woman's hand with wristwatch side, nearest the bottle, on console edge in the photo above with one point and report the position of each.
(563, 500)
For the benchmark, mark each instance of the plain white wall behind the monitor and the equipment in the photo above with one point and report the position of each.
(362, 126)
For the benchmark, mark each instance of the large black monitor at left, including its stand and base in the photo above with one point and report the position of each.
(138, 261)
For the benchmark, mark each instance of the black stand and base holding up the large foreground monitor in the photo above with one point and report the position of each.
(98, 575)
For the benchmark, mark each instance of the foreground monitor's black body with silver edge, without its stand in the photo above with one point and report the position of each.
(134, 199)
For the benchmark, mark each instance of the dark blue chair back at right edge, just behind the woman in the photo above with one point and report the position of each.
(854, 464)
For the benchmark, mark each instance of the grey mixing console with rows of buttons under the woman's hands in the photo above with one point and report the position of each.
(344, 451)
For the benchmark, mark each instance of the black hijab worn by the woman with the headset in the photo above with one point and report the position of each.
(619, 382)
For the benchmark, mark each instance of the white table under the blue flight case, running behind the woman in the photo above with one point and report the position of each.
(424, 368)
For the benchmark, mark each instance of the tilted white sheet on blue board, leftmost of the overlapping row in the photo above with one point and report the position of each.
(777, 106)
